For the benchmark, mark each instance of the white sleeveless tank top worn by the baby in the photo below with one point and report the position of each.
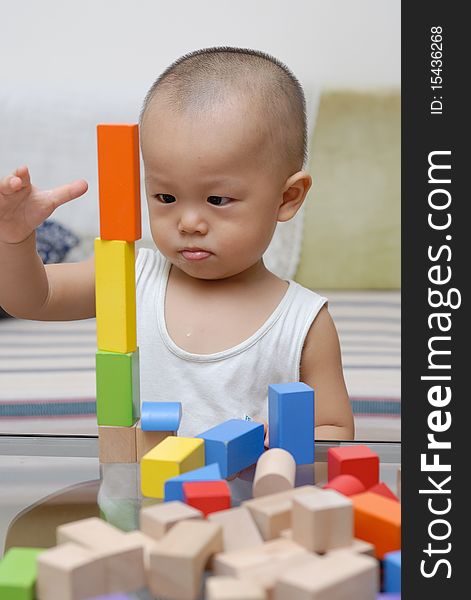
(224, 385)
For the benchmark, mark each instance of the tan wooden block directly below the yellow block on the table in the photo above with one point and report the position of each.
(155, 521)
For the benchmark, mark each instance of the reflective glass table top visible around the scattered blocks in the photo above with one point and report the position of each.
(49, 480)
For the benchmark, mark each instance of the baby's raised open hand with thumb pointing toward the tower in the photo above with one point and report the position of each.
(23, 207)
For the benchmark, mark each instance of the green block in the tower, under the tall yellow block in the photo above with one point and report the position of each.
(117, 388)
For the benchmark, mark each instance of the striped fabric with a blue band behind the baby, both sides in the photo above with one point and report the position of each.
(47, 376)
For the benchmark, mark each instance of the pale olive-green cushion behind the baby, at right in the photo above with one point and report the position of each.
(352, 213)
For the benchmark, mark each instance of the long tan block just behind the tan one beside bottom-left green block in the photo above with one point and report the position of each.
(123, 558)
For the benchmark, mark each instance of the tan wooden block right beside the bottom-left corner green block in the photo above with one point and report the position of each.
(69, 572)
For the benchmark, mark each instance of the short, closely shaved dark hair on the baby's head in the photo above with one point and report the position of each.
(199, 79)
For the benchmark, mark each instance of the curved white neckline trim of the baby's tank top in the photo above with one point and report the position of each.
(222, 354)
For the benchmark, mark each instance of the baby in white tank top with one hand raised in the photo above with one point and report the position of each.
(223, 141)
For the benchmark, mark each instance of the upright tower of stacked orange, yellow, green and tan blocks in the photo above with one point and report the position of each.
(117, 357)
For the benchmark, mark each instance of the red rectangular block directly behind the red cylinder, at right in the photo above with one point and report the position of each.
(359, 461)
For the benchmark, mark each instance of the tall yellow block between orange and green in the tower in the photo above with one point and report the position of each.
(115, 295)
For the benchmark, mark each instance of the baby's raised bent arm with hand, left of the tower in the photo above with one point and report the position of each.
(29, 289)
